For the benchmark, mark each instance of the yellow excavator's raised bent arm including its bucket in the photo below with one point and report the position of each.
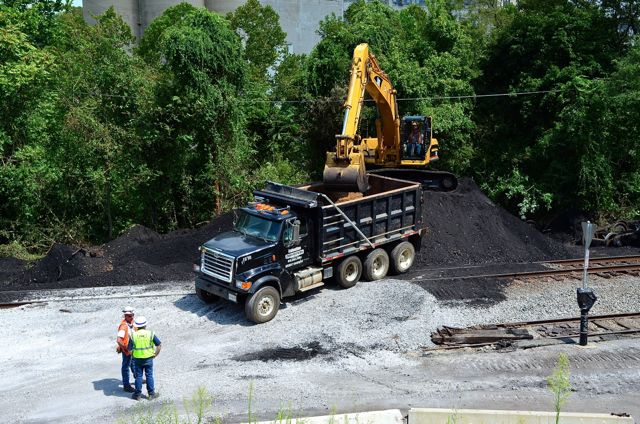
(345, 168)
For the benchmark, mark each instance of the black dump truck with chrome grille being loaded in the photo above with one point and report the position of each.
(293, 239)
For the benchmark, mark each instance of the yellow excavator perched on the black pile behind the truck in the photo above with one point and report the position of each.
(402, 148)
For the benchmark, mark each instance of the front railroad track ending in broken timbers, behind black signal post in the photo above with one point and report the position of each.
(600, 327)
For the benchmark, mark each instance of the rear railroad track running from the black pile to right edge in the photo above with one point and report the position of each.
(603, 267)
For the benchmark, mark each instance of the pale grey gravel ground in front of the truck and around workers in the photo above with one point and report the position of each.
(351, 350)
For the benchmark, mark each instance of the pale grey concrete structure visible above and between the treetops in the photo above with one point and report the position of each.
(298, 18)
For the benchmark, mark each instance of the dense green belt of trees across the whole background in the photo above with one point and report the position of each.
(99, 131)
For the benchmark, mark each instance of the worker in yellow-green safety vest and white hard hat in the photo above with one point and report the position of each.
(145, 346)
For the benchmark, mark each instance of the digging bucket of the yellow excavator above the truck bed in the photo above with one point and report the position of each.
(345, 175)
